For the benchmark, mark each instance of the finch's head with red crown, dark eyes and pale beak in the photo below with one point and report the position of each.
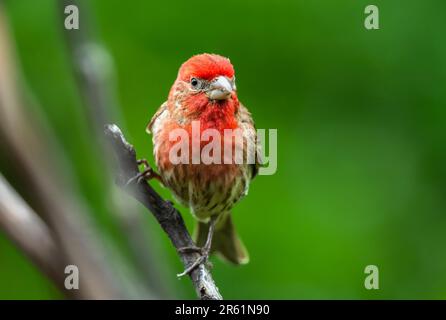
(208, 75)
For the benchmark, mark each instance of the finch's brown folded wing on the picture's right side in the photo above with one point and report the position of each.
(246, 123)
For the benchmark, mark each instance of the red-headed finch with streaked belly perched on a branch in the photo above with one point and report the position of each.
(205, 92)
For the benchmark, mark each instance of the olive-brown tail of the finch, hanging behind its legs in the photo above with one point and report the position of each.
(225, 242)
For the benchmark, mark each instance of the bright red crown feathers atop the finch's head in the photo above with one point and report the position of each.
(206, 66)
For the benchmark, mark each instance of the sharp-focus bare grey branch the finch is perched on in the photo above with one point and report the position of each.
(167, 216)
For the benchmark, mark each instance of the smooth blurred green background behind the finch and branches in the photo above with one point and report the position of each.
(361, 125)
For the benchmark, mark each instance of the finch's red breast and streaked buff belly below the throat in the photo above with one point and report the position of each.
(205, 188)
